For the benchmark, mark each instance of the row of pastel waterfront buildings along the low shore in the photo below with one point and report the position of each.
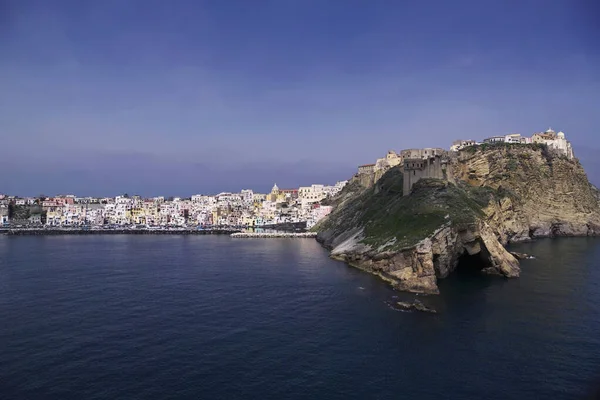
(243, 209)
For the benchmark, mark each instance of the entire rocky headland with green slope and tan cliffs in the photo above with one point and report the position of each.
(500, 194)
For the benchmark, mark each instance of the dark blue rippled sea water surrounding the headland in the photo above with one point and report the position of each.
(210, 317)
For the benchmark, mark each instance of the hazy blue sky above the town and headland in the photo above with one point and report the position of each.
(181, 97)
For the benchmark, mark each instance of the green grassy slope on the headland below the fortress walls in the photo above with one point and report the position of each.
(400, 221)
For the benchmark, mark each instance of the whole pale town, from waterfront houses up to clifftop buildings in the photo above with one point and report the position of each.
(283, 209)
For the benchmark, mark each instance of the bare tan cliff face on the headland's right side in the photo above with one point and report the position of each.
(544, 195)
